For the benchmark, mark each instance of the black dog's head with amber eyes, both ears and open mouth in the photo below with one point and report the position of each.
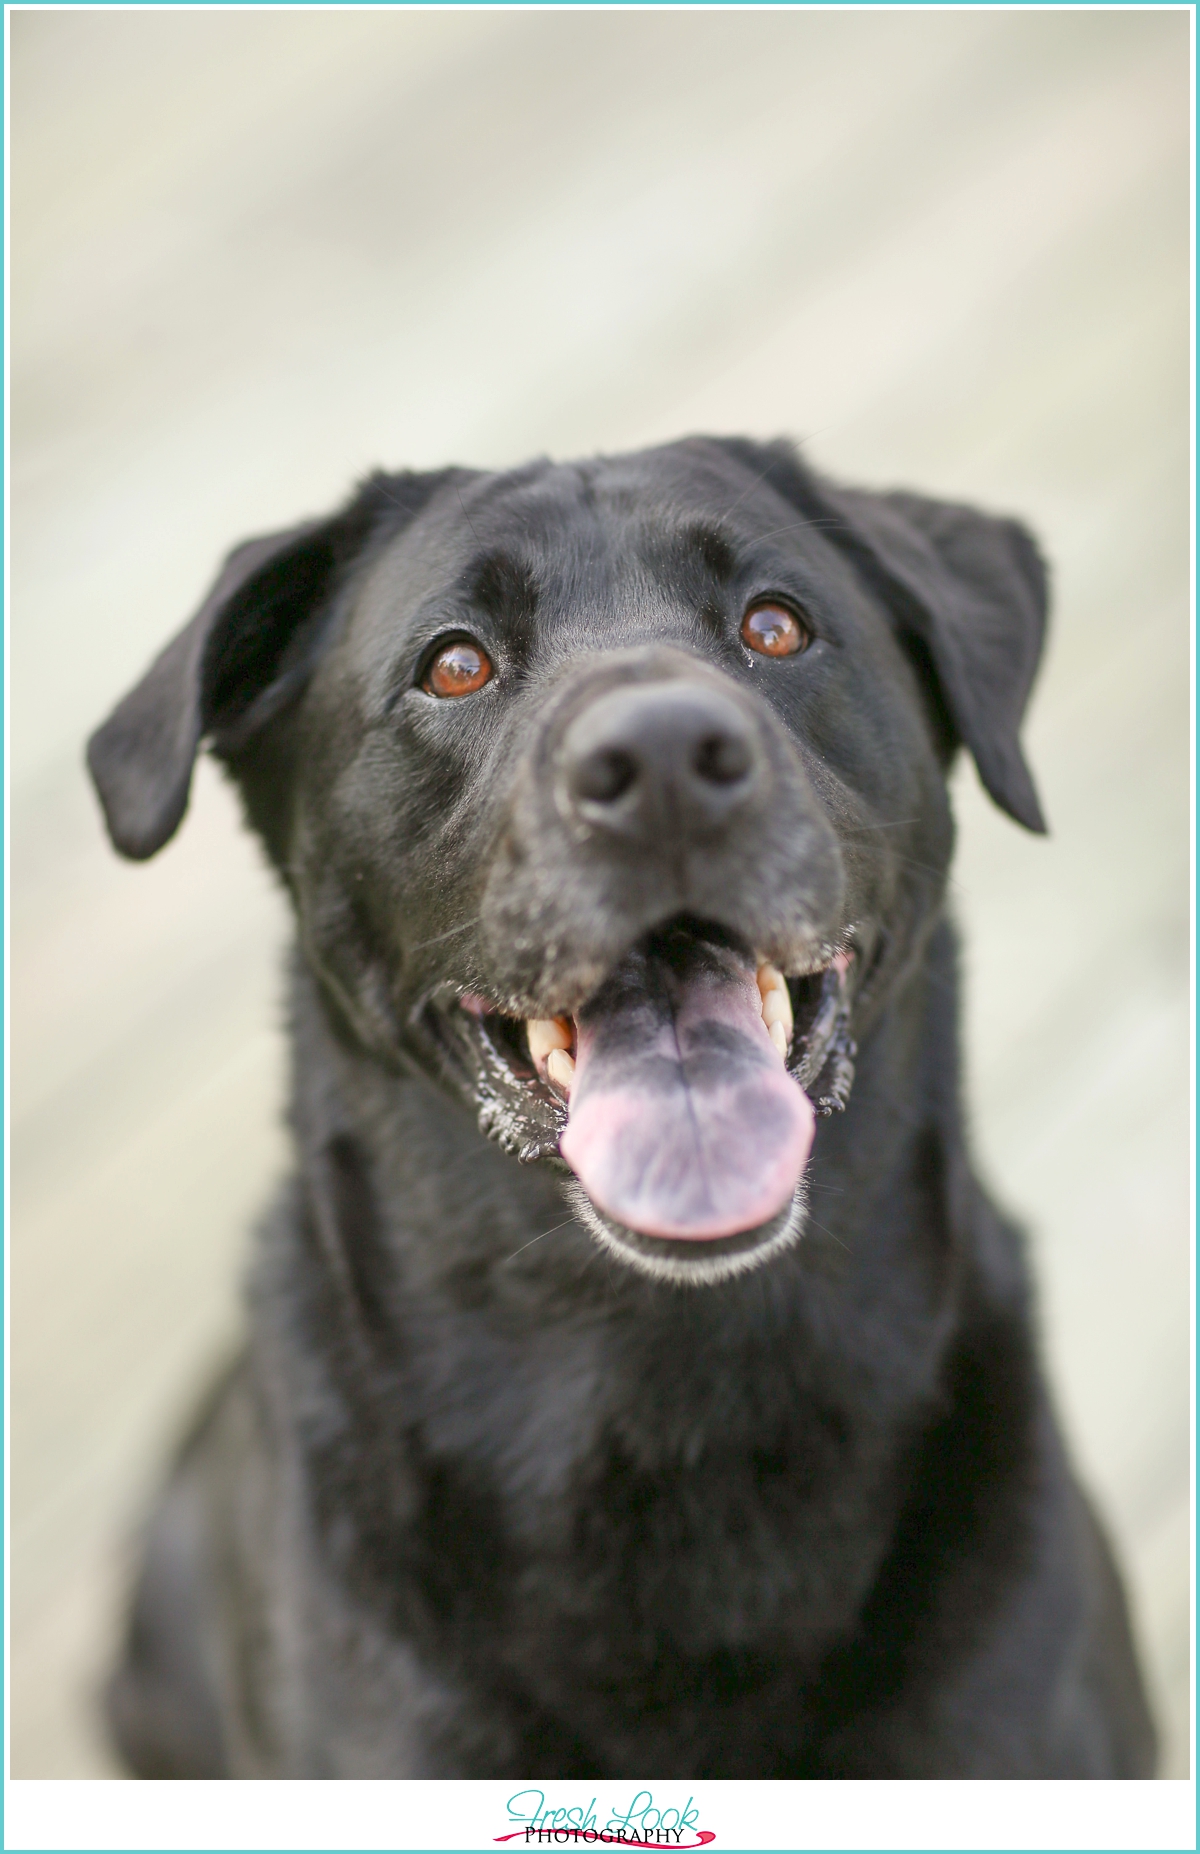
(613, 794)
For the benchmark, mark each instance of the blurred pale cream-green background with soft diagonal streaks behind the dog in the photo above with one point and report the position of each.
(257, 253)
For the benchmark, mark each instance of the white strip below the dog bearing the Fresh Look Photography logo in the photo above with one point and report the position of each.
(472, 1816)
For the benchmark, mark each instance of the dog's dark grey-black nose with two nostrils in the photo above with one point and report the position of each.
(661, 757)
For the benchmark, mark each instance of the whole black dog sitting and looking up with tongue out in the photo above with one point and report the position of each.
(639, 1377)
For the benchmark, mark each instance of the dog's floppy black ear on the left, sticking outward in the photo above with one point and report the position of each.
(242, 661)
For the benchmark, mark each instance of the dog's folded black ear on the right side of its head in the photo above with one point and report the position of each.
(969, 592)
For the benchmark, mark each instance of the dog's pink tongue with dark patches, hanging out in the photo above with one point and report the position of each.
(683, 1119)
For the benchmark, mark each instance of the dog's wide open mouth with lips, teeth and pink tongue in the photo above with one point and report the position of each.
(682, 1095)
